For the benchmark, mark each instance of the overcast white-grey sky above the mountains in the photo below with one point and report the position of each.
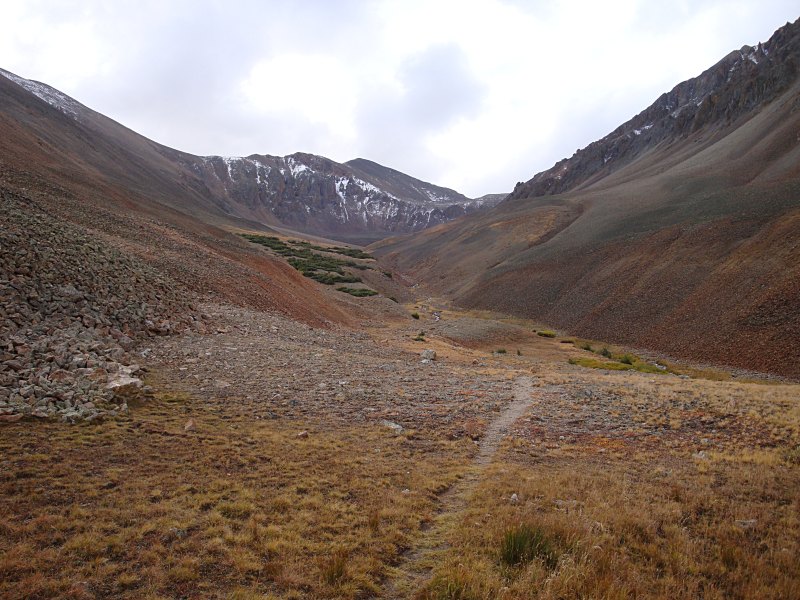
(474, 95)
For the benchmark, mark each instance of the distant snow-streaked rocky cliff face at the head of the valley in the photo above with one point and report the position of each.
(315, 194)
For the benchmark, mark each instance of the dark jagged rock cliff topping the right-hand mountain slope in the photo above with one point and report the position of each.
(733, 87)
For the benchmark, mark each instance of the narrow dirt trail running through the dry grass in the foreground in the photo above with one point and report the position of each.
(417, 563)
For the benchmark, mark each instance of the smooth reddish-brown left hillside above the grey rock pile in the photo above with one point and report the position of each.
(118, 187)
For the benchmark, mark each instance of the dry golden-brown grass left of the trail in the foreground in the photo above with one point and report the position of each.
(236, 508)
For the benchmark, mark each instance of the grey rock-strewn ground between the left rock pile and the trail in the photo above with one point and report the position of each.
(268, 366)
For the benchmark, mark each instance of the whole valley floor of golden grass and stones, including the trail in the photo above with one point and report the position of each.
(280, 461)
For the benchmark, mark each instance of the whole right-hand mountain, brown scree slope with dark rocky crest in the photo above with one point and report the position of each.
(678, 232)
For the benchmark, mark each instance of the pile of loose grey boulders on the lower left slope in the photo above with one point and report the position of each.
(71, 308)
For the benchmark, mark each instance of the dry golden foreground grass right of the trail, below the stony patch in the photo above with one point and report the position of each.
(627, 529)
